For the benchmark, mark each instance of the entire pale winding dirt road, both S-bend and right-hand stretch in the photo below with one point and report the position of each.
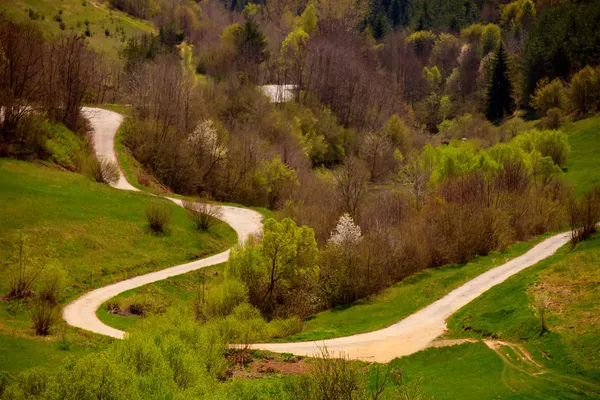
(406, 337)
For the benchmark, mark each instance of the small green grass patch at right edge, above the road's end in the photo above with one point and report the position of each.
(583, 165)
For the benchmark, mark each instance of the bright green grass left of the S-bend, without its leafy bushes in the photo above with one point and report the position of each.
(97, 233)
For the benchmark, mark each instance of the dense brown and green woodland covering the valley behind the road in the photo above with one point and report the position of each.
(422, 133)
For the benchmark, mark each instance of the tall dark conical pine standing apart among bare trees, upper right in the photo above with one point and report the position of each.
(499, 92)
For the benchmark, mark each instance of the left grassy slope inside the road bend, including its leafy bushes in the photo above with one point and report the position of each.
(75, 235)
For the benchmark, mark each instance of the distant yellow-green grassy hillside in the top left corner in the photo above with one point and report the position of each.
(76, 12)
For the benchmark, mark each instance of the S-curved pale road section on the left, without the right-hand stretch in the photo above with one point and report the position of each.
(82, 312)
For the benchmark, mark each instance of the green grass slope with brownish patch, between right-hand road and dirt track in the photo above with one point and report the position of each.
(571, 279)
